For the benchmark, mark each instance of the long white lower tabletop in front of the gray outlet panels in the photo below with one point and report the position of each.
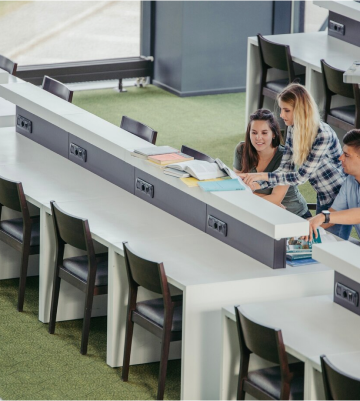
(191, 256)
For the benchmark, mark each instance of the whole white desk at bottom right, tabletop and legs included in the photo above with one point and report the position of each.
(310, 326)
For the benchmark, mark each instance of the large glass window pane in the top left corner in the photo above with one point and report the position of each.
(55, 31)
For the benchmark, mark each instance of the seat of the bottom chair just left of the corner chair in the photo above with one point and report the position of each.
(269, 379)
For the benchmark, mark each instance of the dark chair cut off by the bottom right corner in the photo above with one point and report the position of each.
(338, 386)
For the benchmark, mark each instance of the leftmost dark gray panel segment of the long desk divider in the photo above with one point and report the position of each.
(44, 133)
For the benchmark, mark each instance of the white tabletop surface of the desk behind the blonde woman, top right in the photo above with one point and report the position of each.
(309, 48)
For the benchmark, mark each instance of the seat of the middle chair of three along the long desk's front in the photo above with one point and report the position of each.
(78, 266)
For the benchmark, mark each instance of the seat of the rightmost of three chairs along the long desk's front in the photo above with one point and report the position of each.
(154, 310)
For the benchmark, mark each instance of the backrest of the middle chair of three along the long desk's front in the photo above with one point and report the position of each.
(71, 230)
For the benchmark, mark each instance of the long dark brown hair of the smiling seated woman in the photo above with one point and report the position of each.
(250, 156)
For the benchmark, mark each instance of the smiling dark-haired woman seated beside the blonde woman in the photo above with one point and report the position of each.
(262, 152)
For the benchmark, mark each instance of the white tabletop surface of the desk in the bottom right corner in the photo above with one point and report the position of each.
(310, 326)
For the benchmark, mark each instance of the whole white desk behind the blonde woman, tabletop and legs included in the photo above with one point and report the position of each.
(306, 49)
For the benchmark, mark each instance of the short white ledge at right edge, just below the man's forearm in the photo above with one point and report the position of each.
(342, 256)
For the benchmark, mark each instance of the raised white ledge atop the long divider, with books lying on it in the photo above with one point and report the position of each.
(251, 210)
